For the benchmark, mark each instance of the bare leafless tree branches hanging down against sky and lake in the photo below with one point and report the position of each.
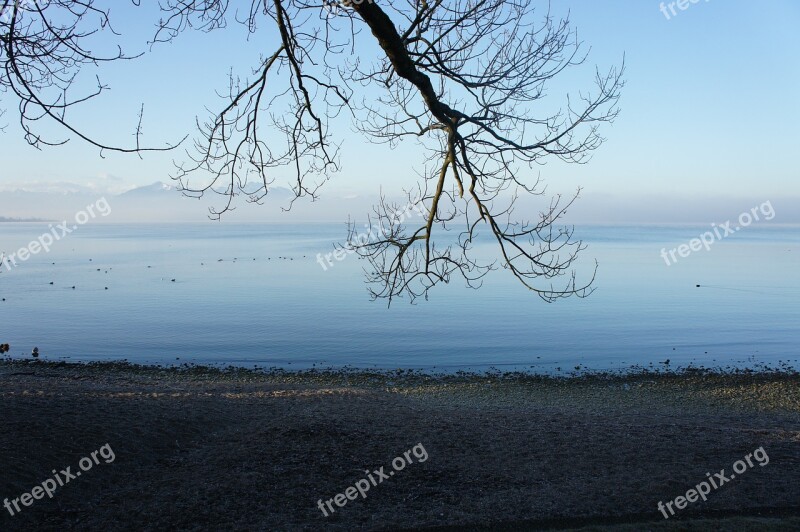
(465, 79)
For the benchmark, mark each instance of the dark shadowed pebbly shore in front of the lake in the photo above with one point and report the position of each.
(201, 449)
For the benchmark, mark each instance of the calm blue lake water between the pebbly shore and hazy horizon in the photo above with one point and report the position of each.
(292, 314)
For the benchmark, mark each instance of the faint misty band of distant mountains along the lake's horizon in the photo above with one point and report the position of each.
(162, 202)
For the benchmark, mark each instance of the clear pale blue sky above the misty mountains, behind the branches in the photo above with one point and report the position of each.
(710, 108)
